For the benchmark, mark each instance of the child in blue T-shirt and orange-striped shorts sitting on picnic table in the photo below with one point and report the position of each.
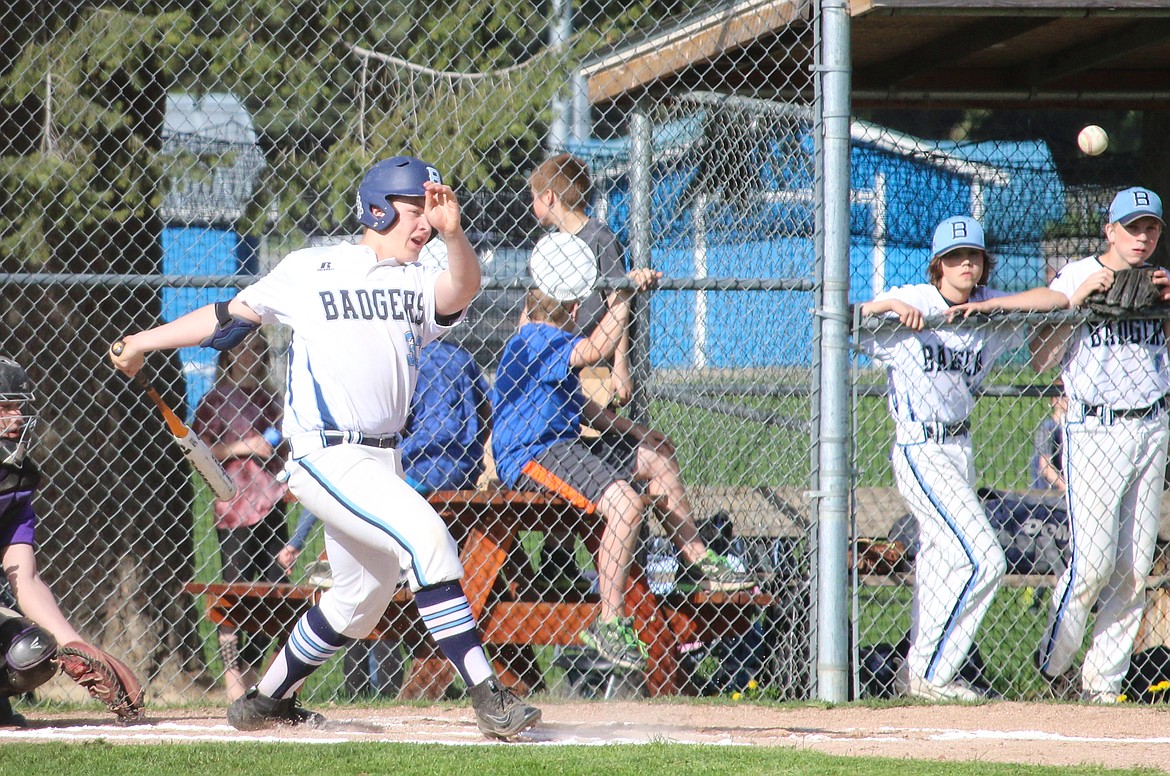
(539, 411)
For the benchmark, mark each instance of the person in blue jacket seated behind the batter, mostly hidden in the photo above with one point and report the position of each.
(443, 450)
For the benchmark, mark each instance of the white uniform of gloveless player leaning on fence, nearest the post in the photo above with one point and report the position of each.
(933, 377)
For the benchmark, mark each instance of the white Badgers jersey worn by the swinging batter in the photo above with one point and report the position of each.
(359, 326)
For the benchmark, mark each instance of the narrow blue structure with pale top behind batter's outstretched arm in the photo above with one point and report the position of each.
(214, 164)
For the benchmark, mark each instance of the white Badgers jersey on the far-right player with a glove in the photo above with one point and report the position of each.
(1119, 365)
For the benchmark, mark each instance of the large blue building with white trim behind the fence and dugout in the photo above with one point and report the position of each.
(733, 198)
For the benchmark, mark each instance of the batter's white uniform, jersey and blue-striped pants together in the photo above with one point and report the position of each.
(359, 326)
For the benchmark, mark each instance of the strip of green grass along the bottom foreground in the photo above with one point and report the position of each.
(104, 759)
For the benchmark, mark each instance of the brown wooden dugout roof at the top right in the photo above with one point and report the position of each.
(913, 54)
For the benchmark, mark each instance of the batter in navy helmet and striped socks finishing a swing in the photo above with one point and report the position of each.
(360, 317)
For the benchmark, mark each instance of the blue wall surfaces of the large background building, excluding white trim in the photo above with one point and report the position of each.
(776, 241)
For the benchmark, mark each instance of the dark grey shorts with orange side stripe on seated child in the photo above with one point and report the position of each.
(582, 471)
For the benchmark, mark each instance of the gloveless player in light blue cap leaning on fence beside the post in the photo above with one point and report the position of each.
(933, 377)
